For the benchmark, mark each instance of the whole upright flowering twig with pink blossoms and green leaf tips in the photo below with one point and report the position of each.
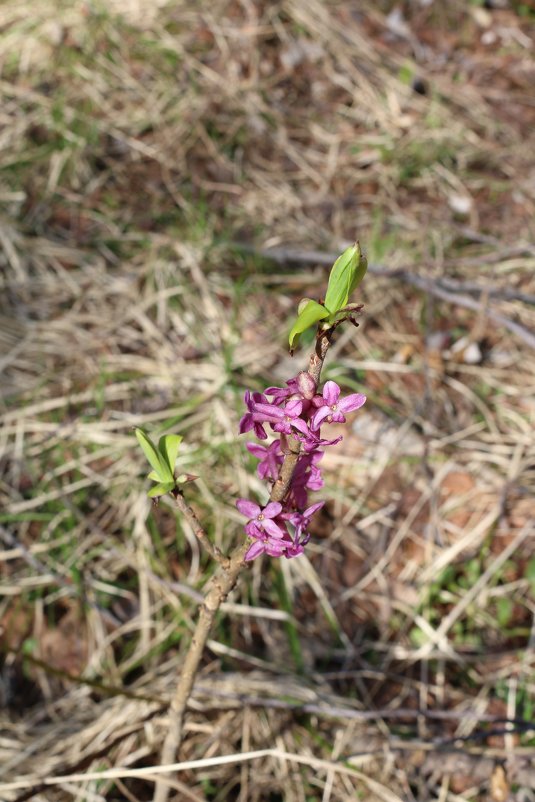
(289, 464)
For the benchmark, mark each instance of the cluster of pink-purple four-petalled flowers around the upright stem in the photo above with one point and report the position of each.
(297, 412)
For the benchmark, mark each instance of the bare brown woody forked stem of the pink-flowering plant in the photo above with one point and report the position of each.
(220, 586)
